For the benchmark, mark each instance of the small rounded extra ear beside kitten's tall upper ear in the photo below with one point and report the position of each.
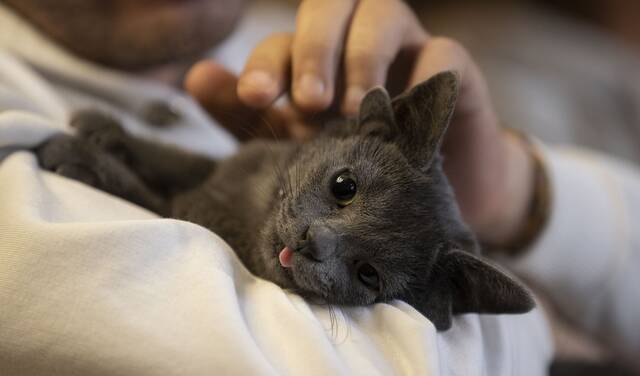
(376, 114)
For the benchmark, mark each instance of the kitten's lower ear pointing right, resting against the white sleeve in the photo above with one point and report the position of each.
(463, 283)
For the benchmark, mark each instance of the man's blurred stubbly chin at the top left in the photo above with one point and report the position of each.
(133, 34)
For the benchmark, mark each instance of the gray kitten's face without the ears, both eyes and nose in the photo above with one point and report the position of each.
(378, 245)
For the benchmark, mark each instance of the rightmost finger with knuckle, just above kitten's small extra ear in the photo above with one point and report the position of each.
(375, 38)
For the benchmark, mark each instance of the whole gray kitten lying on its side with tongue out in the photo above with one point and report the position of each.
(361, 214)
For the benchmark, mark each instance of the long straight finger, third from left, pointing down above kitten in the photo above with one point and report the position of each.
(321, 26)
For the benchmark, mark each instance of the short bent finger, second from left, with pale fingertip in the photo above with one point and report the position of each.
(266, 73)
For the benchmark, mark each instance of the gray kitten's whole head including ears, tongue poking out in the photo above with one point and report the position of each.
(369, 215)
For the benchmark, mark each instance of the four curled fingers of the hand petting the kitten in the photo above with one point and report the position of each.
(305, 64)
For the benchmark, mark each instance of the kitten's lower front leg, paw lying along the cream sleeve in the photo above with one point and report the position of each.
(75, 159)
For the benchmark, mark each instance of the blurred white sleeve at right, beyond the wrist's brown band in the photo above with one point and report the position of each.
(588, 258)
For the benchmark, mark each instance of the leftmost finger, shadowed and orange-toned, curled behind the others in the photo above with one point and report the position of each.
(215, 89)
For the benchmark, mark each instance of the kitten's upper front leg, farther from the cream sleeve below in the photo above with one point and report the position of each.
(164, 168)
